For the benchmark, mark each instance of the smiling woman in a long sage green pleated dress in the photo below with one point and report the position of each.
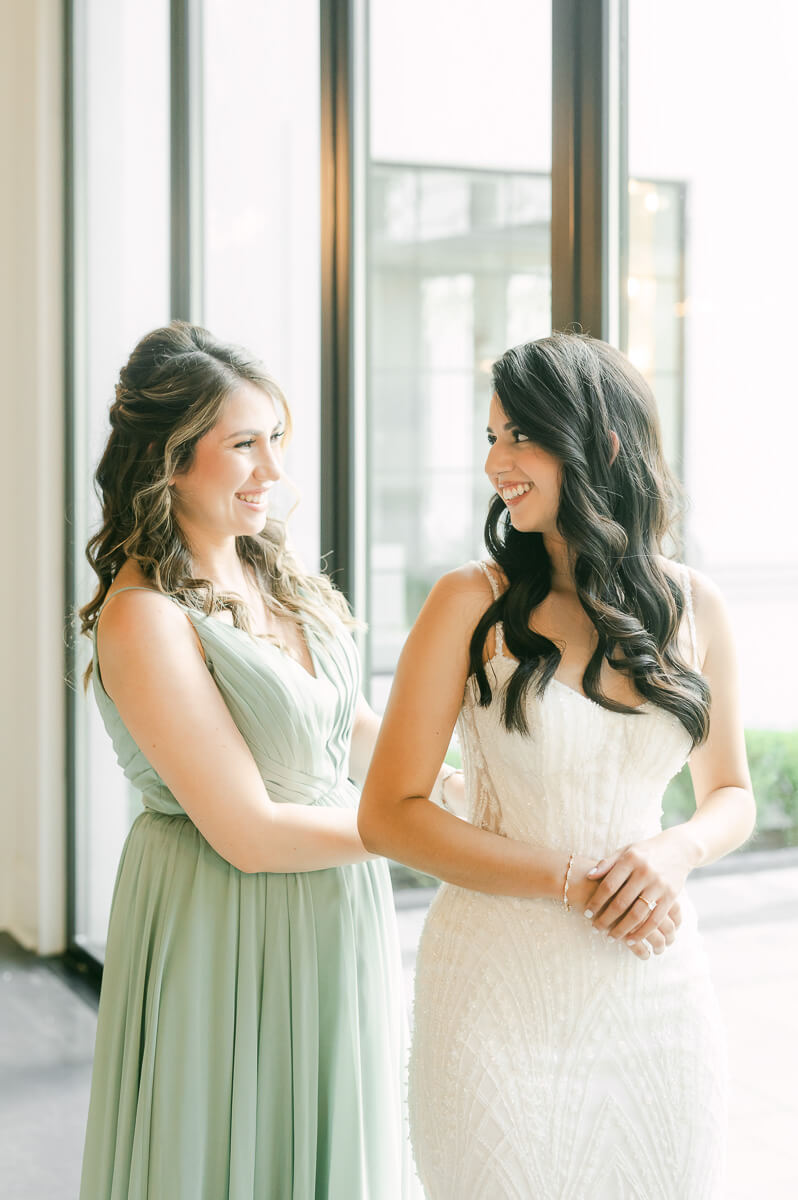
(250, 1029)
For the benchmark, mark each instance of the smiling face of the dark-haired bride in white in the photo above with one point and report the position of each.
(525, 476)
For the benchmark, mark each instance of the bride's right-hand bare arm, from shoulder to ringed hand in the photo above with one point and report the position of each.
(725, 808)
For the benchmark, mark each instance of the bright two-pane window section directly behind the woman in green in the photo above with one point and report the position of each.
(253, 254)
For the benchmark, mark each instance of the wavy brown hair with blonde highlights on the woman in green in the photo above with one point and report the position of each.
(170, 394)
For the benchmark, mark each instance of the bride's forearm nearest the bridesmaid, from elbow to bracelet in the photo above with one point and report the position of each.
(429, 839)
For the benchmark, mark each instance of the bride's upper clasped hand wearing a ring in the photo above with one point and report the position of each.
(652, 871)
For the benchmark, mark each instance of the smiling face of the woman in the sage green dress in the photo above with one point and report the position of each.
(225, 493)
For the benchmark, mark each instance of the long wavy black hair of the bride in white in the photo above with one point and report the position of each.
(568, 393)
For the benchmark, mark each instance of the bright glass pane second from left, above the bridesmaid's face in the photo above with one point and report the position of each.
(262, 259)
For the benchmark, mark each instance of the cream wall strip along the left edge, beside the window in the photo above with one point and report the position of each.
(32, 476)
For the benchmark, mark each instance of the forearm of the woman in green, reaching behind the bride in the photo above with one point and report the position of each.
(305, 838)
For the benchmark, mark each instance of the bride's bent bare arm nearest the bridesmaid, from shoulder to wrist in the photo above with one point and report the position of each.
(397, 815)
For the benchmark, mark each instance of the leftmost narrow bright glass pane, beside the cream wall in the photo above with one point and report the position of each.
(122, 194)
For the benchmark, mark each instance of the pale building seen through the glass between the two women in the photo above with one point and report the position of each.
(459, 271)
